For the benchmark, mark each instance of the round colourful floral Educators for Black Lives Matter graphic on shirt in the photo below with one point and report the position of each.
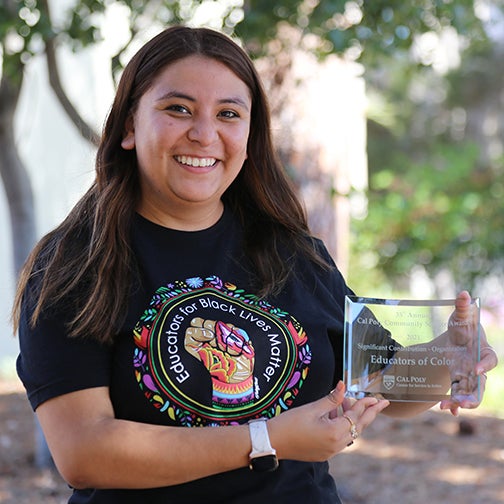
(208, 353)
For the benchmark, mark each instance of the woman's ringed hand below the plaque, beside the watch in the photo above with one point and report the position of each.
(315, 432)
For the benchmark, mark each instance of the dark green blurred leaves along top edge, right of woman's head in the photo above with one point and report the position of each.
(373, 27)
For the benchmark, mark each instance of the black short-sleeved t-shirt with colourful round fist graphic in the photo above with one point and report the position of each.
(198, 348)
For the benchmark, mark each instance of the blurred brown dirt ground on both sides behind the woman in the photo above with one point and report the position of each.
(434, 458)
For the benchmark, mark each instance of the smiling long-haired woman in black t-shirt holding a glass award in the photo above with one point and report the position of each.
(182, 291)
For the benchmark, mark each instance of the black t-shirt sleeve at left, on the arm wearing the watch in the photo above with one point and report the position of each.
(51, 364)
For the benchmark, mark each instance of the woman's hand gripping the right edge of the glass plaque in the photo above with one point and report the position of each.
(462, 328)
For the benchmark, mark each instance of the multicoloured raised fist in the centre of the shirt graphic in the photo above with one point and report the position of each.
(227, 353)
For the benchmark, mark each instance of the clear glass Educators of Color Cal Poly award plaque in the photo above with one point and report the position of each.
(409, 350)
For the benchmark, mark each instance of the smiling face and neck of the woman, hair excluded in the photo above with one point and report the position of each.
(190, 132)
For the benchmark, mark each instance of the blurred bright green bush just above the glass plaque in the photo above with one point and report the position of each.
(441, 212)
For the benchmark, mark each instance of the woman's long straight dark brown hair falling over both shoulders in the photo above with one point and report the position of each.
(88, 259)
